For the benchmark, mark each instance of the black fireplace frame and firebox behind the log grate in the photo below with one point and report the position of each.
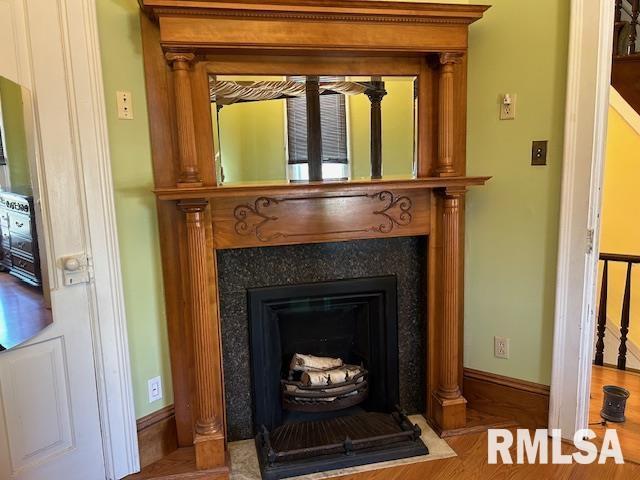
(354, 320)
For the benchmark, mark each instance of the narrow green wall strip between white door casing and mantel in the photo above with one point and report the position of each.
(120, 42)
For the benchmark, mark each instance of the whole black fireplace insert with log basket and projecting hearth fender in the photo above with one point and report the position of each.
(343, 410)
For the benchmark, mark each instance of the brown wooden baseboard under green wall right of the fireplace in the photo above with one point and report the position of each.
(525, 402)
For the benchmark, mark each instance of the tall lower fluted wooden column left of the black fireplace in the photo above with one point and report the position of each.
(209, 438)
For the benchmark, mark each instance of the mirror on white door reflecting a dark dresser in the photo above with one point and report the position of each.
(25, 307)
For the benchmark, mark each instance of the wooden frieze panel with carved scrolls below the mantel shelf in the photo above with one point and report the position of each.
(256, 221)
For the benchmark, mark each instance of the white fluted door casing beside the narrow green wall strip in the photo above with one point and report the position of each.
(111, 349)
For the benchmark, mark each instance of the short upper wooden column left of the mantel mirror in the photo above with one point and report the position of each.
(189, 172)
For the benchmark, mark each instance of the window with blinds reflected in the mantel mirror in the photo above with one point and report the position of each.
(333, 131)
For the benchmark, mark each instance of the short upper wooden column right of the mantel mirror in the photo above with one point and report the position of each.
(446, 165)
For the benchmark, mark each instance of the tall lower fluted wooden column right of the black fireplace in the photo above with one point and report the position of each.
(451, 406)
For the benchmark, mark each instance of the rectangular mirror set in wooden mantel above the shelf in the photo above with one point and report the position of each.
(306, 128)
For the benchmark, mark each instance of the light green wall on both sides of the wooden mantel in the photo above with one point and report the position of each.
(520, 47)
